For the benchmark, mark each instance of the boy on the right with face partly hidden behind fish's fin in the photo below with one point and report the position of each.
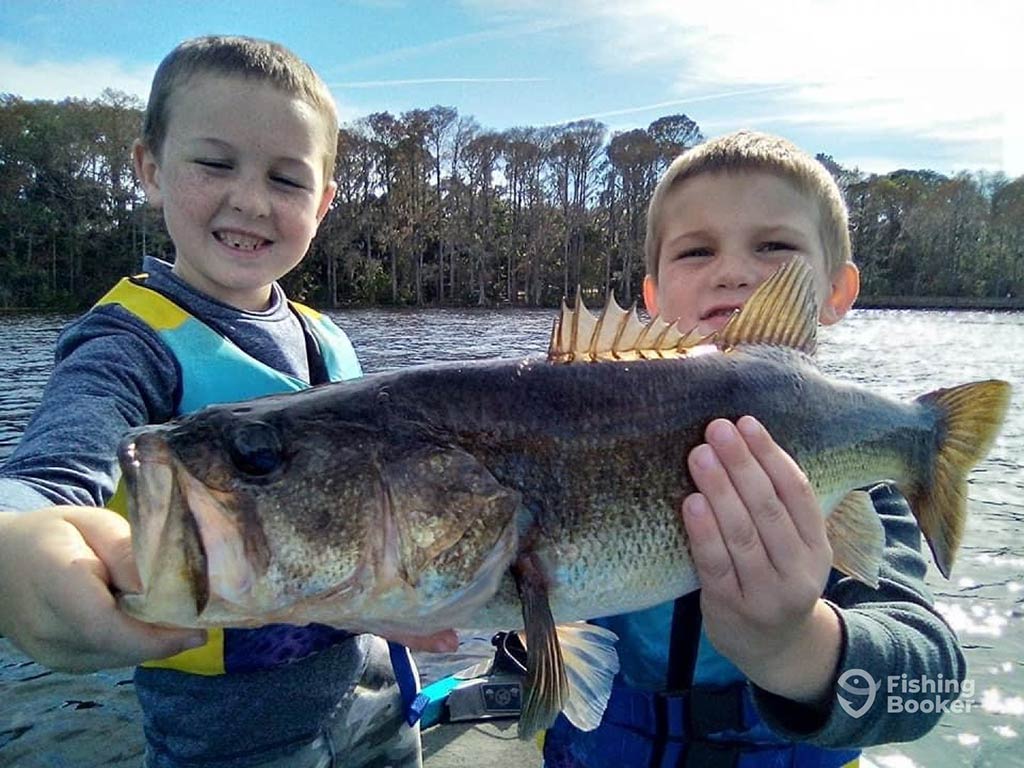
(746, 671)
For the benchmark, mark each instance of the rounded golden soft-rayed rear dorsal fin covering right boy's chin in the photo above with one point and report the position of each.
(783, 312)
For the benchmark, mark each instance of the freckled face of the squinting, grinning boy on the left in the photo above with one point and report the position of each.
(240, 179)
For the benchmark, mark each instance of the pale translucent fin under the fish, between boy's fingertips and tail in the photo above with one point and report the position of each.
(858, 538)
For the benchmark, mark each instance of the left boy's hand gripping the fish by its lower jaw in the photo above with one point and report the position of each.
(58, 569)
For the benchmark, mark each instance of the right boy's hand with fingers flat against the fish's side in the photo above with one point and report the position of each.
(758, 541)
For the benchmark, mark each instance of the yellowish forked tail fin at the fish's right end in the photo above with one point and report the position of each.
(970, 417)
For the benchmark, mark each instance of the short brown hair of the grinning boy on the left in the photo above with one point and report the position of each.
(245, 58)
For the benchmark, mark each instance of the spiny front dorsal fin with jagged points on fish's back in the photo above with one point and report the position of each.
(616, 334)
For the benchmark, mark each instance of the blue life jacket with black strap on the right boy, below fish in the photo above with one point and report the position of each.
(708, 718)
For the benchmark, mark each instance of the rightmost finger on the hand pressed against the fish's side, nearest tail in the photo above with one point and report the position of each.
(790, 484)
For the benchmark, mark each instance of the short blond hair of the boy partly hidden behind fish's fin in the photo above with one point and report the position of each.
(750, 151)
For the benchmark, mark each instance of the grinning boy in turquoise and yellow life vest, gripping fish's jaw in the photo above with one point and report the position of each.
(238, 151)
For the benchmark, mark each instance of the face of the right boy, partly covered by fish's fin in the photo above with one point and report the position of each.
(723, 235)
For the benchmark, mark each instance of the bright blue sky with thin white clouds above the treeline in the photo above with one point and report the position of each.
(879, 86)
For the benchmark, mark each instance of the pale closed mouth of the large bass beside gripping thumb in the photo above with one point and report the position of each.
(169, 547)
